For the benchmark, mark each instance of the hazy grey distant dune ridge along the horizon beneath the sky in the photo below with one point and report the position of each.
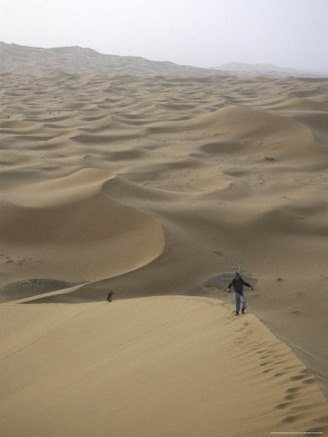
(85, 61)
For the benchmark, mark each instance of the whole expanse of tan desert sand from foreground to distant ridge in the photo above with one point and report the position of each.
(159, 188)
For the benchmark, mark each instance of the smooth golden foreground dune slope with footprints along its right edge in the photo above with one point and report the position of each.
(185, 369)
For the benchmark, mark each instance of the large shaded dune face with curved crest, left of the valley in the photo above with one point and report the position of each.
(72, 225)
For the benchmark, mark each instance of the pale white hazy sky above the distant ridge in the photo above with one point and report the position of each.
(287, 33)
